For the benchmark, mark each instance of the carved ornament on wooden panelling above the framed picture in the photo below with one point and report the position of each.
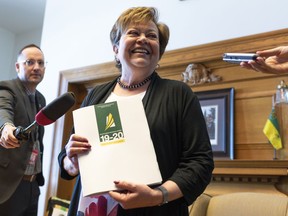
(196, 74)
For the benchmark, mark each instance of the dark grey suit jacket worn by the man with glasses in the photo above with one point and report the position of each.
(15, 107)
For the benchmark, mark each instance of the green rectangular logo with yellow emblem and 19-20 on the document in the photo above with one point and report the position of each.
(109, 123)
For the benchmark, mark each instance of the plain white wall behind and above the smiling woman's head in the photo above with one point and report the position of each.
(76, 33)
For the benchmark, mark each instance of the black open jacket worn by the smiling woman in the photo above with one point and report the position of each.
(180, 139)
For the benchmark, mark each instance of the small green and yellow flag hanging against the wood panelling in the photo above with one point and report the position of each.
(271, 130)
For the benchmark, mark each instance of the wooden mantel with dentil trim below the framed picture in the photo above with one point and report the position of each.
(266, 176)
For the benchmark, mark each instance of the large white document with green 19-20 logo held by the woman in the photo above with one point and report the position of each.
(121, 146)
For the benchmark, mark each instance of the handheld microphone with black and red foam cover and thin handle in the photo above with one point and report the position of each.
(48, 114)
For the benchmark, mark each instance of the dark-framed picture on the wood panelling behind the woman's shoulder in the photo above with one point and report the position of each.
(218, 111)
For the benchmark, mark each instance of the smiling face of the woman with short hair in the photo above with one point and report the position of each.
(139, 46)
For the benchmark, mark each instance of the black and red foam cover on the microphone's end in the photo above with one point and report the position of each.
(55, 109)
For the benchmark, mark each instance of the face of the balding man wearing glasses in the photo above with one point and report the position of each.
(30, 66)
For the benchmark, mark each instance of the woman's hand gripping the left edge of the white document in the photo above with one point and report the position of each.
(76, 145)
